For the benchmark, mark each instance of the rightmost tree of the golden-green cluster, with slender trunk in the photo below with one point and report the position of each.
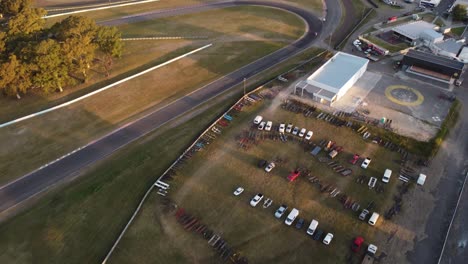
(108, 40)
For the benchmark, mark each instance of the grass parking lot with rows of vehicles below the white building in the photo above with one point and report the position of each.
(205, 187)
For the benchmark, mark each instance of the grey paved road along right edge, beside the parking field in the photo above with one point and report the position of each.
(452, 159)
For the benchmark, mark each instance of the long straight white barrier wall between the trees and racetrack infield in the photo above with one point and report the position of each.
(103, 89)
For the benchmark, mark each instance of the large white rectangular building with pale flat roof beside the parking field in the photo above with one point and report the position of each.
(334, 78)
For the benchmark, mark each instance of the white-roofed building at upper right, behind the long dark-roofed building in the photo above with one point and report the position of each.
(413, 31)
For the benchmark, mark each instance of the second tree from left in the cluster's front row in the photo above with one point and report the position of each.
(49, 71)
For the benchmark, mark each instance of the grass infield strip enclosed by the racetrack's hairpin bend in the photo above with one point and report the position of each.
(37, 142)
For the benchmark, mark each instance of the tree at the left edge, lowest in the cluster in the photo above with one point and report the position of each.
(14, 77)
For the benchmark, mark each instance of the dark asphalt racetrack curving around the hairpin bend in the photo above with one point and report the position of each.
(17, 192)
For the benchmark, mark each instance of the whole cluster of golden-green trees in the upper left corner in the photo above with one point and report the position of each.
(46, 59)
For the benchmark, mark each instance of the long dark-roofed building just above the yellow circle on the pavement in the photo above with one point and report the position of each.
(433, 66)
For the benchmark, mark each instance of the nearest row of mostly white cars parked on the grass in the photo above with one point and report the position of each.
(312, 230)
